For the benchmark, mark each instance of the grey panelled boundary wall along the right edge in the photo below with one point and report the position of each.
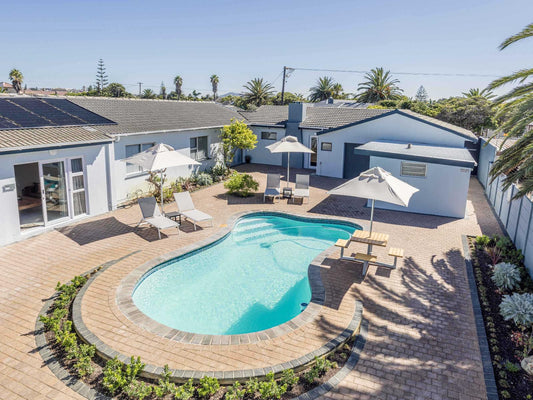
(515, 215)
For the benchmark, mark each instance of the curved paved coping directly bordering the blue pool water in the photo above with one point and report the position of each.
(124, 294)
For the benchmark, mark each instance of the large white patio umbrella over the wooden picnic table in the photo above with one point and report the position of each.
(377, 184)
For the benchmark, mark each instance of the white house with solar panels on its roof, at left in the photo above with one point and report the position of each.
(60, 157)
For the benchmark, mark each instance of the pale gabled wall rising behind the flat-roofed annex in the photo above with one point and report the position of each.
(394, 127)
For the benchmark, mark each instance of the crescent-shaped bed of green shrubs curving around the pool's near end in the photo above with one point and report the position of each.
(113, 378)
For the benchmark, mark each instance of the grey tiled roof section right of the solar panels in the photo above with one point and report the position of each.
(140, 116)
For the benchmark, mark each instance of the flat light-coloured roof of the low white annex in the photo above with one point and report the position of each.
(418, 152)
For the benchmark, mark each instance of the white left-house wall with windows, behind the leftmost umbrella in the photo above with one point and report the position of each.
(127, 185)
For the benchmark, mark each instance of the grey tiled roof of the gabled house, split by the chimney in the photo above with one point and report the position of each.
(329, 119)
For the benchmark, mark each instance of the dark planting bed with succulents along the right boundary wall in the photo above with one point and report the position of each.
(509, 342)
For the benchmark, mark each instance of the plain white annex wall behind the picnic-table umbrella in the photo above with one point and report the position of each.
(443, 191)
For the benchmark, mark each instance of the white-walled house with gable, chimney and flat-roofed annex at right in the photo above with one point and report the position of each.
(431, 155)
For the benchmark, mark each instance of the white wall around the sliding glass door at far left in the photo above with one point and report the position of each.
(96, 182)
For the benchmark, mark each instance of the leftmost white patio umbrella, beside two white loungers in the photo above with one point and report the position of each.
(158, 158)
